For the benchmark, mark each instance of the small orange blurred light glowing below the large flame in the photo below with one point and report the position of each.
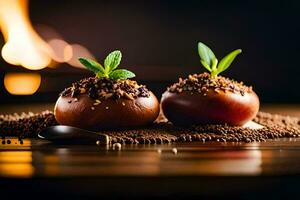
(22, 83)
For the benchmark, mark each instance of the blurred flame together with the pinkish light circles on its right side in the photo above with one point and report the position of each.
(26, 48)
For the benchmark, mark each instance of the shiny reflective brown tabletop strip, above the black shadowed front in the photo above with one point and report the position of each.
(37, 158)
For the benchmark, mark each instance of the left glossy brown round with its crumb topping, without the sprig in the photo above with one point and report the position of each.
(101, 104)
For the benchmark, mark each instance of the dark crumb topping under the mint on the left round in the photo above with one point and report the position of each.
(99, 88)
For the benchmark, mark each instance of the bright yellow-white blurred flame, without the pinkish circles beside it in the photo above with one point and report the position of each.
(23, 45)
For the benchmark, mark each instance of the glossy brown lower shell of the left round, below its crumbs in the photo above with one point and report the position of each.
(109, 114)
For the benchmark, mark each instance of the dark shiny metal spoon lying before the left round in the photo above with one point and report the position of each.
(69, 134)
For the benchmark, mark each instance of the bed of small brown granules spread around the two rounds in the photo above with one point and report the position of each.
(28, 125)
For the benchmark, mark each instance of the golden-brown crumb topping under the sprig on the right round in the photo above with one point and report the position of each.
(201, 83)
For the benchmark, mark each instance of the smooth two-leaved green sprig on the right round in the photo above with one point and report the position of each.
(210, 62)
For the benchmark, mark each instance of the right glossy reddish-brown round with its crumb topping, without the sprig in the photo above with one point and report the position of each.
(202, 99)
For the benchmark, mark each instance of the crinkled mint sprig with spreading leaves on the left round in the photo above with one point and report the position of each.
(111, 63)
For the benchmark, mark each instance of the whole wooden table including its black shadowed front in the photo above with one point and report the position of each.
(38, 169)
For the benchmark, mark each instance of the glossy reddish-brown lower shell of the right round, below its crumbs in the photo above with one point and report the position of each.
(213, 108)
